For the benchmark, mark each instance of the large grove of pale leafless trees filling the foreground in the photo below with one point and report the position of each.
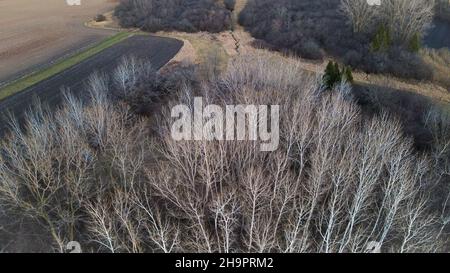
(338, 182)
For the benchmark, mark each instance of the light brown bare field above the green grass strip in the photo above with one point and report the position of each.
(35, 33)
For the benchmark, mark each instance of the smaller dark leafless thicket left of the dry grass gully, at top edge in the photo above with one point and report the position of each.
(181, 15)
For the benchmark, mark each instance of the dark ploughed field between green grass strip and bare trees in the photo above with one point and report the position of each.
(157, 50)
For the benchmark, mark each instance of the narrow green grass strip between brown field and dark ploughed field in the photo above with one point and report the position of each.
(38, 76)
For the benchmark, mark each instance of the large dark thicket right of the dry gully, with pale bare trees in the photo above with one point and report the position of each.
(381, 39)
